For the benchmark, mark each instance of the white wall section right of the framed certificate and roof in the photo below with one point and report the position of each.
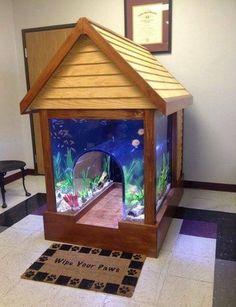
(203, 59)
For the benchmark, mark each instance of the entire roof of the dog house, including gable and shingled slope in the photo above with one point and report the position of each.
(95, 65)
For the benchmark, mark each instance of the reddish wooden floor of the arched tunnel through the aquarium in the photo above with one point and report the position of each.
(107, 212)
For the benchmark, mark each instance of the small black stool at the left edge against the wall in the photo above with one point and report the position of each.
(7, 166)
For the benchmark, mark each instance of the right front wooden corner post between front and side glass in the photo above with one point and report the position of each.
(149, 167)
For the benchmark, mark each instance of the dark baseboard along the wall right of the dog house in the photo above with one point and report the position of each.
(210, 186)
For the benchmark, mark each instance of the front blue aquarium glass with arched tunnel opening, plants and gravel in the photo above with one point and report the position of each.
(90, 156)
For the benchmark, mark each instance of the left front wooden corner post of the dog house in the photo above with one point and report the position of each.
(48, 161)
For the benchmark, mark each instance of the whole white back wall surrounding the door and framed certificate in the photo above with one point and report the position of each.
(202, 58)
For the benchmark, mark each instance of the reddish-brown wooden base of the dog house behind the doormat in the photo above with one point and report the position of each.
(129, 236)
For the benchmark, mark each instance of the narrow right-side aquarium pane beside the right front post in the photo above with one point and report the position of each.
(163, 159)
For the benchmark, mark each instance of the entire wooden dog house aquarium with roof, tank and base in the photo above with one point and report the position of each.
(112, 126)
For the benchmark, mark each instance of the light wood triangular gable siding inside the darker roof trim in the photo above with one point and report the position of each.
(87, 79)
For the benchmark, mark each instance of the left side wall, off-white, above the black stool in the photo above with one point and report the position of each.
(10, 119)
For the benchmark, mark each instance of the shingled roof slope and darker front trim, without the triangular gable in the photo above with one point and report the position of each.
(133, 60)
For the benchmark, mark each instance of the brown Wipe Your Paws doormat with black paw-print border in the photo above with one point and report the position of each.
(103, 270)
